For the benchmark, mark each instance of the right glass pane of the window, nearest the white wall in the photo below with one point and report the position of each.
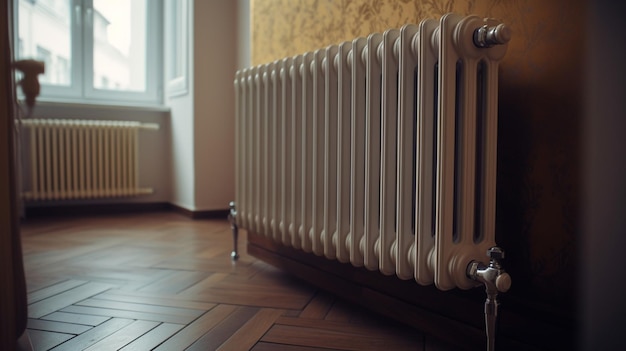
(119, 45)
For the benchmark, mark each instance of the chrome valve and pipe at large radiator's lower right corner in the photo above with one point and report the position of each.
(495, 280)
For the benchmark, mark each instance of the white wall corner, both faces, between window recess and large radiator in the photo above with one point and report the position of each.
(203, 120)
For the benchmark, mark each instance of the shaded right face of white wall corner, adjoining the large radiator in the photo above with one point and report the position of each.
(215, 58)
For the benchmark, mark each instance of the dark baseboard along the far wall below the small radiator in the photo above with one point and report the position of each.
(35, 211)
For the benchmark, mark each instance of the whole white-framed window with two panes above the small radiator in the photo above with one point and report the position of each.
(100, 50)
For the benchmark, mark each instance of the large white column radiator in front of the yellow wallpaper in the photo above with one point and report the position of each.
(380, 151)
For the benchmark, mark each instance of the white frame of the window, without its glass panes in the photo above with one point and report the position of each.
(81, 88)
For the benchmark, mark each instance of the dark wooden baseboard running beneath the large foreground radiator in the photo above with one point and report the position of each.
(455, 316)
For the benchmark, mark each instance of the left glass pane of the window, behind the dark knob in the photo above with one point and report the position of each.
(44, 34)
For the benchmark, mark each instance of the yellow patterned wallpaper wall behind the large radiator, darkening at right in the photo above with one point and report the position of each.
(541, 93)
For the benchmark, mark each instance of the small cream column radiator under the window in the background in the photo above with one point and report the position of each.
(79, 159)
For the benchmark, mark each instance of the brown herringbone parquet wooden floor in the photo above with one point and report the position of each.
(161, 281)
